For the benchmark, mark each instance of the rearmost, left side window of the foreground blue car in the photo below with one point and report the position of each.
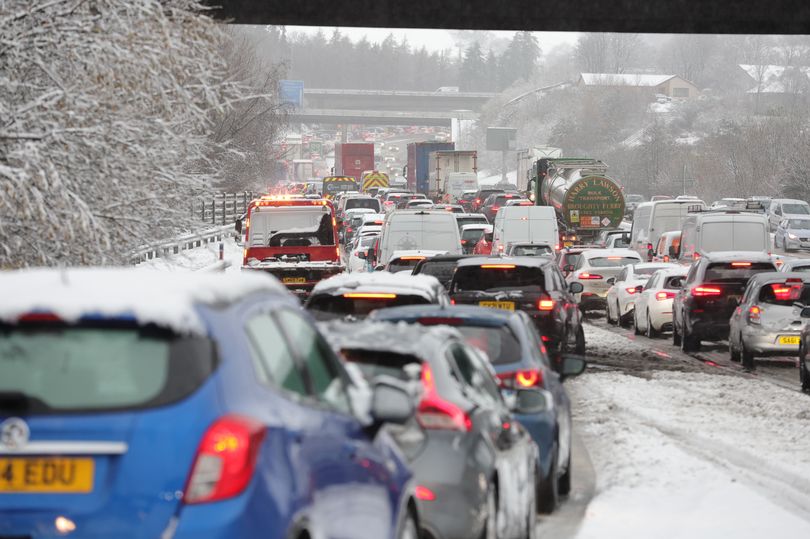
(272, 359)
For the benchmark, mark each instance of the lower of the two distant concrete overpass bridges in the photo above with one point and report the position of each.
(379, 117)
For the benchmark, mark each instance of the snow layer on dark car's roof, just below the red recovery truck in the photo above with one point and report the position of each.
(426, 286)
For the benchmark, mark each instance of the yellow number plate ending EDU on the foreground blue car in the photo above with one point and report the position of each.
(46, 475)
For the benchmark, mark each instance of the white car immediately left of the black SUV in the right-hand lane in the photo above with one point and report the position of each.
(653, 312)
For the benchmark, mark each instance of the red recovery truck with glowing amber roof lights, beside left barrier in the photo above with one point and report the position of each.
(293, 238)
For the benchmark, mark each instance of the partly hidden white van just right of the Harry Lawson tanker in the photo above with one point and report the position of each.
(651, 219)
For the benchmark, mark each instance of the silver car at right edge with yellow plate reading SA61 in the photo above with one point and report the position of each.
(767, 323)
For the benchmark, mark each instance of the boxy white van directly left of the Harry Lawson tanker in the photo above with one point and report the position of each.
(524, 224)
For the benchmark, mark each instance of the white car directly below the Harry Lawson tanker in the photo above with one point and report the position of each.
(593, 268)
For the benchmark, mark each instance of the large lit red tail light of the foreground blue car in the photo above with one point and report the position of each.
(225, 460)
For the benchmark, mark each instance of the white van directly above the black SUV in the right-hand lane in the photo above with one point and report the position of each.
(709, 232)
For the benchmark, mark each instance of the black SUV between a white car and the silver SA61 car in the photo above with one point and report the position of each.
(712, 290)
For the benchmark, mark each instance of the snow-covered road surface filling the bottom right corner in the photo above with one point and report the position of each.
(690, 455)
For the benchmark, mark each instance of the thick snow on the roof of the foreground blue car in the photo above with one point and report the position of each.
(166, 299)
